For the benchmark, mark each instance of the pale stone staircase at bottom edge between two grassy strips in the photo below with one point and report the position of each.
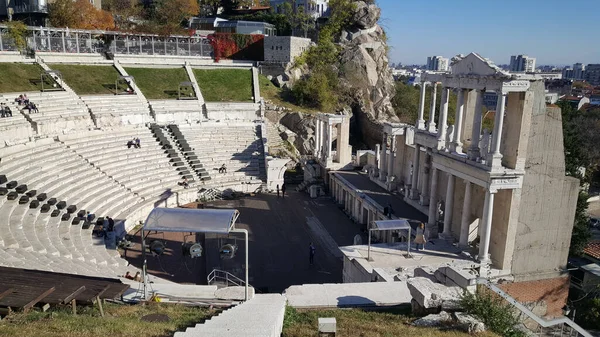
(261, 316)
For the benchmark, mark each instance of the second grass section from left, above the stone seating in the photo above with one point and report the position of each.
(89, 80)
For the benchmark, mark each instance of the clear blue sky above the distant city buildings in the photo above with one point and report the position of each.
(556, 32)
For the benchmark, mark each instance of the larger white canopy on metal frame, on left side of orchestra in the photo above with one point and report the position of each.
(218, 221)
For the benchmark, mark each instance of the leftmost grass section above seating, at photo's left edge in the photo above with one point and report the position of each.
(20, 77)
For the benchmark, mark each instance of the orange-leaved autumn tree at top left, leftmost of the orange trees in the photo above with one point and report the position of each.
(79, 14)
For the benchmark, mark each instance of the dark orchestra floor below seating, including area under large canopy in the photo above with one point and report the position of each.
(280, 231)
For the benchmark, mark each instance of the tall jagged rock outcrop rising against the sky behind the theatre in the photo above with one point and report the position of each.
(364, 70)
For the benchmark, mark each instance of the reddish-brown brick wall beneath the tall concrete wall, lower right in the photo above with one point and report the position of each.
(549, 294)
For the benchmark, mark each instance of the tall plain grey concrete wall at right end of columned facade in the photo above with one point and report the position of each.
(548, 198)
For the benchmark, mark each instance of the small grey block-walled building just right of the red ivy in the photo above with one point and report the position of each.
(284, 49)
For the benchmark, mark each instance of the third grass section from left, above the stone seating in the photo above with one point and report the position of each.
(159, 83)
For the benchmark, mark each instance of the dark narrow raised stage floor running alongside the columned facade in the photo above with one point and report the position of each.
(382, 197)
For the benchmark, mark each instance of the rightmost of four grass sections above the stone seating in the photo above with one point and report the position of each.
(225, 85)
